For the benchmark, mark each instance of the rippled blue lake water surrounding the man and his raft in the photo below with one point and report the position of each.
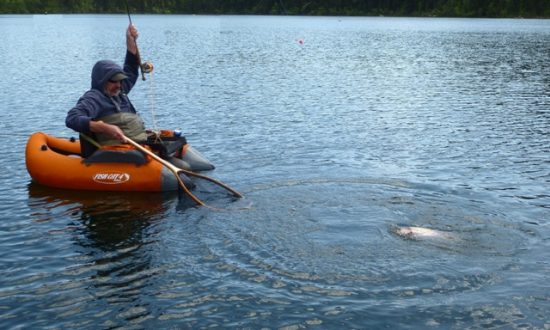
(336, 130)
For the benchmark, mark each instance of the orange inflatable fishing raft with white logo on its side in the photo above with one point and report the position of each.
(56, 162)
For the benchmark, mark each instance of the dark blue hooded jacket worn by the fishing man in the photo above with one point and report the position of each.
(95, 103)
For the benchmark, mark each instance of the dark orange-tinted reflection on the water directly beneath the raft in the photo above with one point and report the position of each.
(106, 219)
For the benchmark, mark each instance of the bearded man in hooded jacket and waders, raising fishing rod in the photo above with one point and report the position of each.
(104, 114)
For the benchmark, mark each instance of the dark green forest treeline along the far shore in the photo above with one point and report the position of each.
(447, 8)
